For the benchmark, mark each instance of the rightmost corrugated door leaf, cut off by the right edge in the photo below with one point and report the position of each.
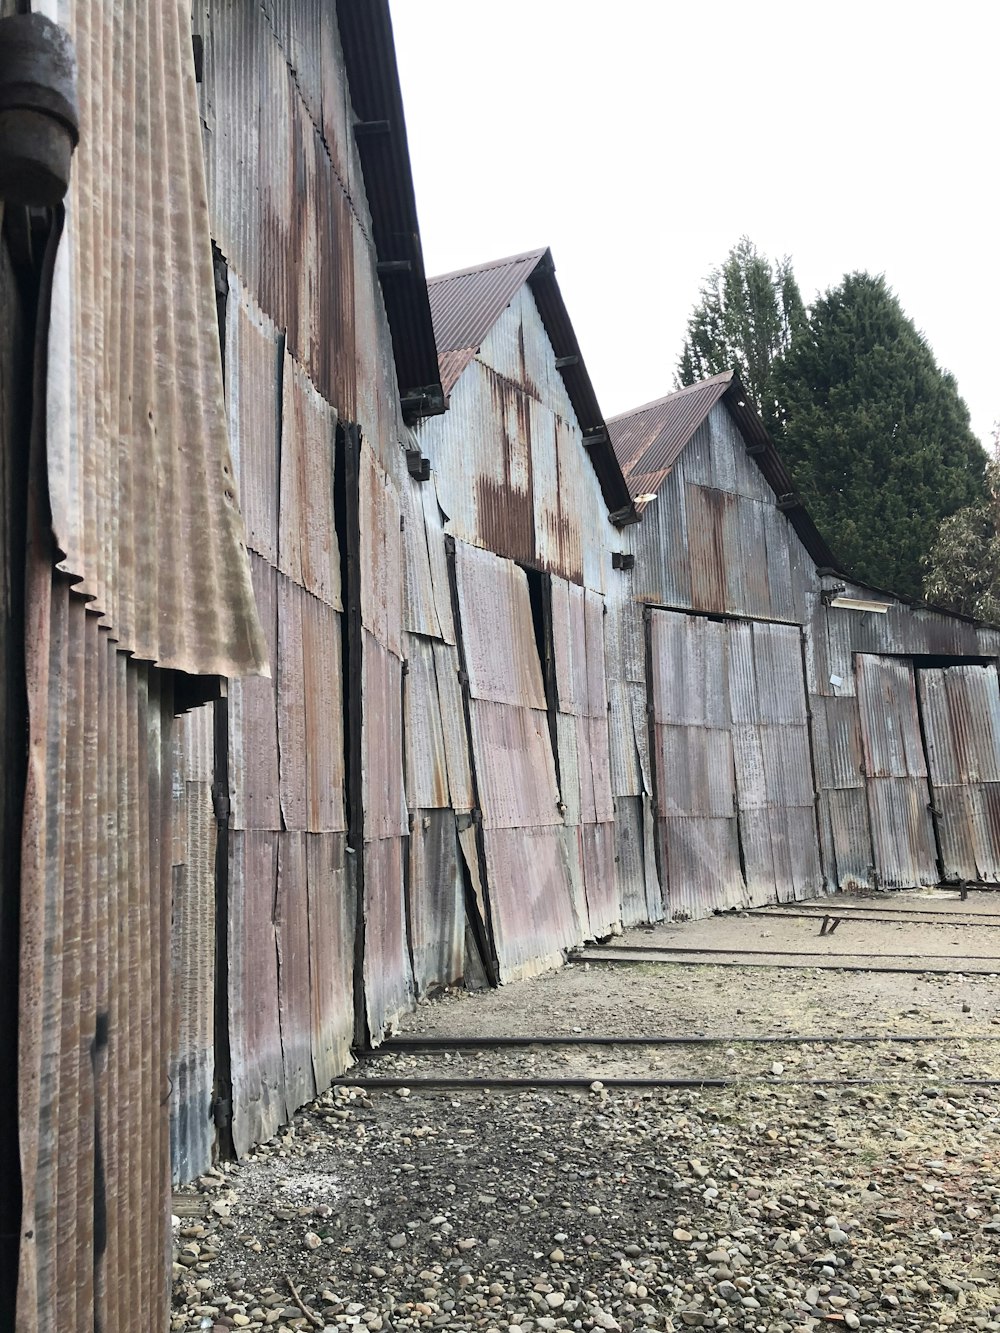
(961, 708)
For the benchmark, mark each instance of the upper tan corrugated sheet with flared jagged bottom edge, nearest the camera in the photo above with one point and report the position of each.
(139, 475)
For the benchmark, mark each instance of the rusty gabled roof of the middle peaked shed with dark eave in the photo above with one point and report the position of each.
(467, 305)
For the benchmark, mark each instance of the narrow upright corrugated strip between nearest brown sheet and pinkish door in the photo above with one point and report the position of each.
(193, 947)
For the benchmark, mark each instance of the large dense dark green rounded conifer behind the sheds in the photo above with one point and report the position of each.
(875, 434)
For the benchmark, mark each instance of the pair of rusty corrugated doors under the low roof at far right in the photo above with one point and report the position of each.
(931, 739)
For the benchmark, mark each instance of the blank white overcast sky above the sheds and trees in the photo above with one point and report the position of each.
(642, 139)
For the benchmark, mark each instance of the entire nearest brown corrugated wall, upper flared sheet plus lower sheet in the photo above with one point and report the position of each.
(137, 471)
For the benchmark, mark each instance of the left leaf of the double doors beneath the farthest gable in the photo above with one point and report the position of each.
(695, 778)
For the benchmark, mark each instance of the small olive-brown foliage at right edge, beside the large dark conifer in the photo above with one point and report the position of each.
(963, 569)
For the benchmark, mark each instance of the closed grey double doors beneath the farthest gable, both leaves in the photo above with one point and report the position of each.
(735, 791)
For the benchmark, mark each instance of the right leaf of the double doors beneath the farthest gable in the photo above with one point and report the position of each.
(775, 790)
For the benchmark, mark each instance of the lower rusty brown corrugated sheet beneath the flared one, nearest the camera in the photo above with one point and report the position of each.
(95, 986)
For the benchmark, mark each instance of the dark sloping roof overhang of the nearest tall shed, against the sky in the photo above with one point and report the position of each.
(370, 57)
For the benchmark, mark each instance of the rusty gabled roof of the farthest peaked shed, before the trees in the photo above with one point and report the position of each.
(650, 441)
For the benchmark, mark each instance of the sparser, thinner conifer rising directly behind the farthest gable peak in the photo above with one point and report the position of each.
(749, 314)
